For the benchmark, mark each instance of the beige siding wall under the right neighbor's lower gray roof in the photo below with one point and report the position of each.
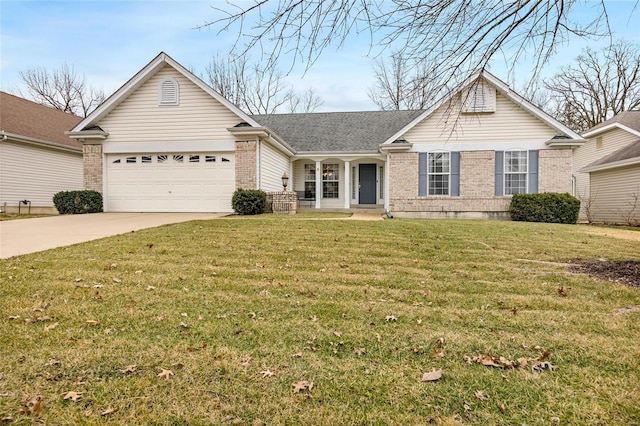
(612, 193)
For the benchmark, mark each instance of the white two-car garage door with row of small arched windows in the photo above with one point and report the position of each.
(173, 182)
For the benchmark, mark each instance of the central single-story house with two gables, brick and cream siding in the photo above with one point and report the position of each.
(165, 141)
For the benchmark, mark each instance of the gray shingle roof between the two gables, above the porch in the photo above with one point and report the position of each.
(337, 131)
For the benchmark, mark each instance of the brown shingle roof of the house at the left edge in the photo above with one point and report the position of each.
(33, 121)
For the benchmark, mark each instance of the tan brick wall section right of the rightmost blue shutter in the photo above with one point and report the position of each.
(554, 170)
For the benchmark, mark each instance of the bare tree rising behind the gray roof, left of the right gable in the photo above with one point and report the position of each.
(400, 84)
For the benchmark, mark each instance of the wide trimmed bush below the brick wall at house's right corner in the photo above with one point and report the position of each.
(549, 207)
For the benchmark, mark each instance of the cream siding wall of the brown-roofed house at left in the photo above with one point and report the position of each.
(36, 174)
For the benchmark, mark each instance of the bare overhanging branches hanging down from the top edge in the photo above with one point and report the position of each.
(455, 36)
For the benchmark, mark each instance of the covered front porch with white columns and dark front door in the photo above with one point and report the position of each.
(338, 183)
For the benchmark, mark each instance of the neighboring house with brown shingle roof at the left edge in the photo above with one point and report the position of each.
(37, 158)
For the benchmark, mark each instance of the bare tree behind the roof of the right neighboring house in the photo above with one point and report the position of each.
(596, 86)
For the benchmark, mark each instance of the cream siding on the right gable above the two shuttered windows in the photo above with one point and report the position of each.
(510, 123)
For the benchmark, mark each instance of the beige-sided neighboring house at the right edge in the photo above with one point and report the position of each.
(607, 170)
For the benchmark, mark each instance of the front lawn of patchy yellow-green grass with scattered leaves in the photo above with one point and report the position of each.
(295, 300)
